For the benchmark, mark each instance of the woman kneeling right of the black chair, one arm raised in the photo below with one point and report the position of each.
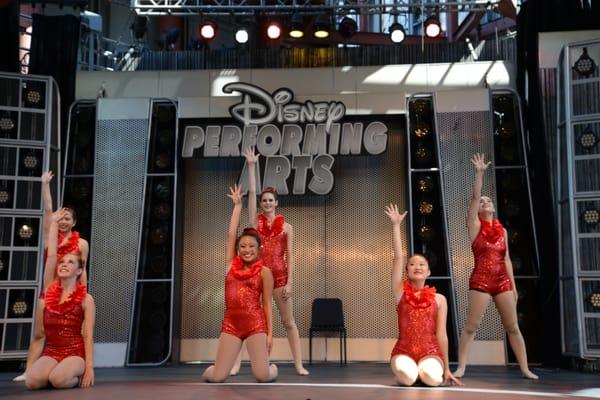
(421, 351)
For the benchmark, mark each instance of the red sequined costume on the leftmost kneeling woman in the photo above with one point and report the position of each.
(62, 323)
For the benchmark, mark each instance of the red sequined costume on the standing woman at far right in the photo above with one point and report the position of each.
(489, 249)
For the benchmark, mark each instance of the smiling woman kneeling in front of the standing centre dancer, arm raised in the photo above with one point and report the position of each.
(248, 294)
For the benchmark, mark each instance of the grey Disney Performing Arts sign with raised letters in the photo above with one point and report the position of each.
(298, 137)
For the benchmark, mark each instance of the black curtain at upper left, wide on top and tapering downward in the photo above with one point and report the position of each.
(54, 46)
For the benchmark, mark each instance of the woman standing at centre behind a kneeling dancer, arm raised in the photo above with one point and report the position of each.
(278, 254)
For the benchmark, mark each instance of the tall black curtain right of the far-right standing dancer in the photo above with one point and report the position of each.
(534, 17)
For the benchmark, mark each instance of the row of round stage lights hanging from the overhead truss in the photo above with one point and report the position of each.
(322, 28)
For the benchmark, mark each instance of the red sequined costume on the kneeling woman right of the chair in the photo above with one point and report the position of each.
(417, 321)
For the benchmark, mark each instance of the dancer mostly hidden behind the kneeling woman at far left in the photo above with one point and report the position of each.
(69, 241)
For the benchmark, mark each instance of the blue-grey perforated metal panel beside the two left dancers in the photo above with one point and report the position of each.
(116, 218)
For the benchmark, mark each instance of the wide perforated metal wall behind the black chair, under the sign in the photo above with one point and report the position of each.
(342, 242)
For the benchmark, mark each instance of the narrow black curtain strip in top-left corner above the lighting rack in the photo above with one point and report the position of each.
(9, 38)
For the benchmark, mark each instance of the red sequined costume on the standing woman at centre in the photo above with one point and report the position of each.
(274, 246)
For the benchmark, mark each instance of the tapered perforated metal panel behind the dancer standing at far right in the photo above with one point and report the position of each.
(462, 135)
